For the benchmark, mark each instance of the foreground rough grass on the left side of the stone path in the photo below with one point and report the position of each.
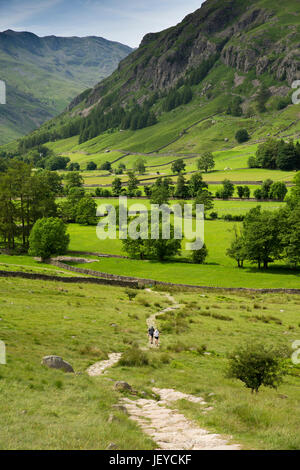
(47, 409)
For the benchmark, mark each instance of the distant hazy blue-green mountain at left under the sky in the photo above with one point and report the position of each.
(42, 75)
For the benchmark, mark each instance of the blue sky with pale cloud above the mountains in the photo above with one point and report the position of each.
(125, 21)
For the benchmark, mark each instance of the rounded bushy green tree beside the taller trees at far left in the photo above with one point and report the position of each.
(48, 237)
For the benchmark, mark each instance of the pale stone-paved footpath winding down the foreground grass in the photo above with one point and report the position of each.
(170, 429)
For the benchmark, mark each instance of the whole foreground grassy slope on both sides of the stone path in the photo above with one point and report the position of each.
(78, 321)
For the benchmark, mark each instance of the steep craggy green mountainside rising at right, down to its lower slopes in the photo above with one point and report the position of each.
(230, 58)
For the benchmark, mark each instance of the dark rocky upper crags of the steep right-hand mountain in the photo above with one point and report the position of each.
(249, 36)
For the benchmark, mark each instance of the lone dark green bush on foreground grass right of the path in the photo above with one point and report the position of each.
(256, 365)
